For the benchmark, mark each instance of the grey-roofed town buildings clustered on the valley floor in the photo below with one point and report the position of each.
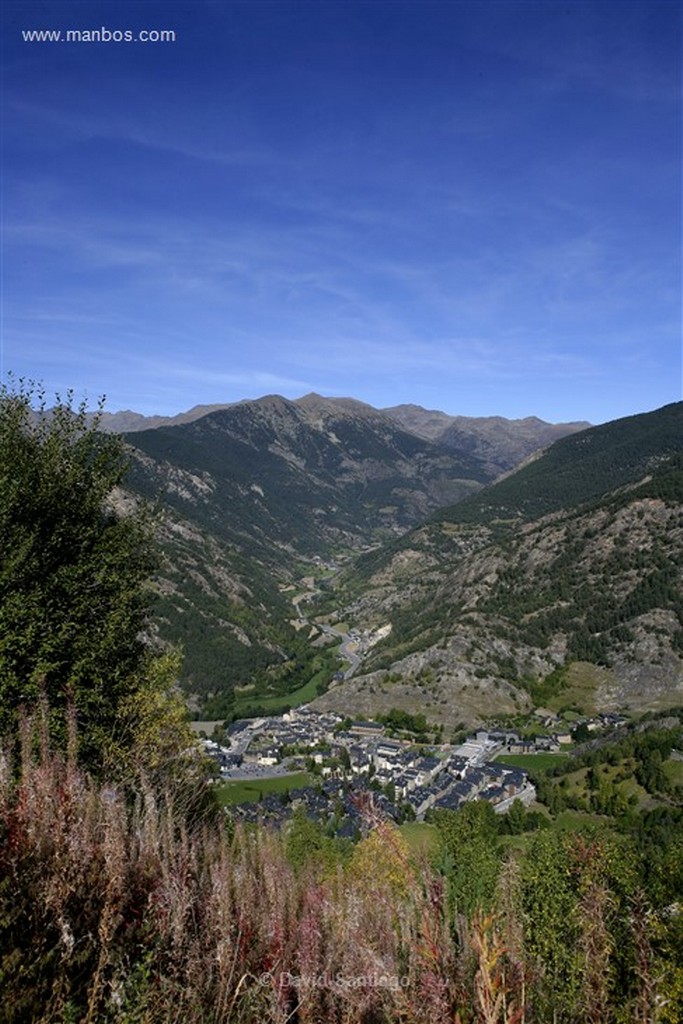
(357, 759)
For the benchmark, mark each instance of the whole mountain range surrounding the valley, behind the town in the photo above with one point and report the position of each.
(407, 509)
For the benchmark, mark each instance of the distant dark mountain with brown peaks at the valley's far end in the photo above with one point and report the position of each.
(306, 478)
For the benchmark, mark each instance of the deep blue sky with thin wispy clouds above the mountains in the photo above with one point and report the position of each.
(475, 207)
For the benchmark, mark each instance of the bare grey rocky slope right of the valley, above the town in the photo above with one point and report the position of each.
(514, 610)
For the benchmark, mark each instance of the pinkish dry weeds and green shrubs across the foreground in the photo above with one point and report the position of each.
(134, 906)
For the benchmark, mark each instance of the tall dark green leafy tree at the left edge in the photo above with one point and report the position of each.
(75, 598)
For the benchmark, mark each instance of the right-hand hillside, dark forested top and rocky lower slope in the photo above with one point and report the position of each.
(575, 560)
